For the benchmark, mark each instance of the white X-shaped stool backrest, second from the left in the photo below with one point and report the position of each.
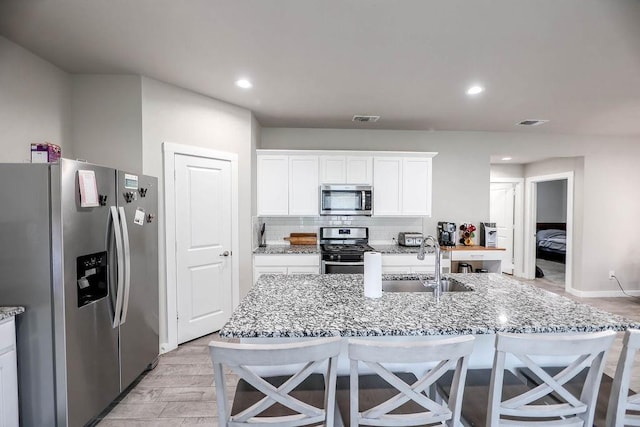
(446, 354)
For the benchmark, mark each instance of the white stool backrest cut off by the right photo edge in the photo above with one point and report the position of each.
(620, 402)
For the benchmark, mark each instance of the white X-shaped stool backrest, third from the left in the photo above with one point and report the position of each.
(575, 351)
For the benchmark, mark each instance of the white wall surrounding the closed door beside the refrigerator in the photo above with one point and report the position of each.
(172, 114)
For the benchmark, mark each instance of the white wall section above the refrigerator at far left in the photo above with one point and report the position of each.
(35, 103)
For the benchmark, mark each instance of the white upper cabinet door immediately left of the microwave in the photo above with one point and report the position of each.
(304, 189)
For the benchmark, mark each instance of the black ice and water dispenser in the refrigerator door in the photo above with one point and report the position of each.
(92, 277)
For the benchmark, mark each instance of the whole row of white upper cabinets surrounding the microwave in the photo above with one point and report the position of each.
(289, 180)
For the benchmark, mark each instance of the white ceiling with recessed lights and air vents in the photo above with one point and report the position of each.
(317, 63)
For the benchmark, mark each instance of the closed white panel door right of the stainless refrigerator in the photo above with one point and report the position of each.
(203, 245)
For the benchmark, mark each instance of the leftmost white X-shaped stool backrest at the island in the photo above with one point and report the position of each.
(242, 359)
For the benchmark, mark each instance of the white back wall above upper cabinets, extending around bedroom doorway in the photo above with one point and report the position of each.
(605, 194)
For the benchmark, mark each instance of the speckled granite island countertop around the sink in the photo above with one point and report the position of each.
(334, 305)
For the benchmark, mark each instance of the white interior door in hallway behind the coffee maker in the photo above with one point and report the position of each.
(501, 212)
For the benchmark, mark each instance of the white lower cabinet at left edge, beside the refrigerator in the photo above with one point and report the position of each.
(8, 374)
